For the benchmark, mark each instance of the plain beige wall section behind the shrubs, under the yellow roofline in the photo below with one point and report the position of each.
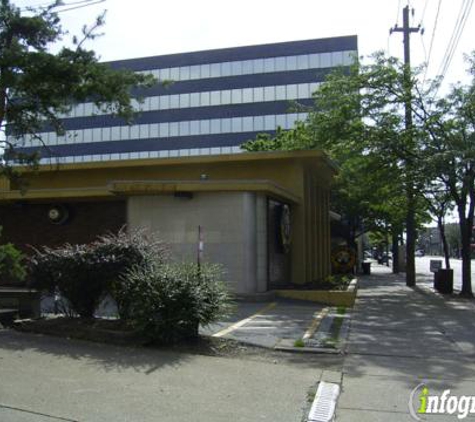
(234, 231)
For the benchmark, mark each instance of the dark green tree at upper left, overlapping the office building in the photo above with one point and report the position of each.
(37, 85)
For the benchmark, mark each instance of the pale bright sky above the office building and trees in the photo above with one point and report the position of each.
(142, 28)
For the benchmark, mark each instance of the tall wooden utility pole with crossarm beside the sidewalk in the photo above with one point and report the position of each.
(411, 232)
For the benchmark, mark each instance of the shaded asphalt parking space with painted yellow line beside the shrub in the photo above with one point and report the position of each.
(267, 323)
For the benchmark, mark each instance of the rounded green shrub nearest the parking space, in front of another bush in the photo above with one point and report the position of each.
(169, 302)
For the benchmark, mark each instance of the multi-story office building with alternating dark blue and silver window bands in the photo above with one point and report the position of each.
(218, 100)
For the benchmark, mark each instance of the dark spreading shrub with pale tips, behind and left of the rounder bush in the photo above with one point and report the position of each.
(84, 274)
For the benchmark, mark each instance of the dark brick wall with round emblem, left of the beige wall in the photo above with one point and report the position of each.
(28, 224)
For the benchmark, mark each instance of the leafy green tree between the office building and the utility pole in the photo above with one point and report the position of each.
(358, 119)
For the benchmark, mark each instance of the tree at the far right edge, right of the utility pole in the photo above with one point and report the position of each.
(449, 154)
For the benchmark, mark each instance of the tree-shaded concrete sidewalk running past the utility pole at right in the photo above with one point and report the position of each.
(399, 338)
